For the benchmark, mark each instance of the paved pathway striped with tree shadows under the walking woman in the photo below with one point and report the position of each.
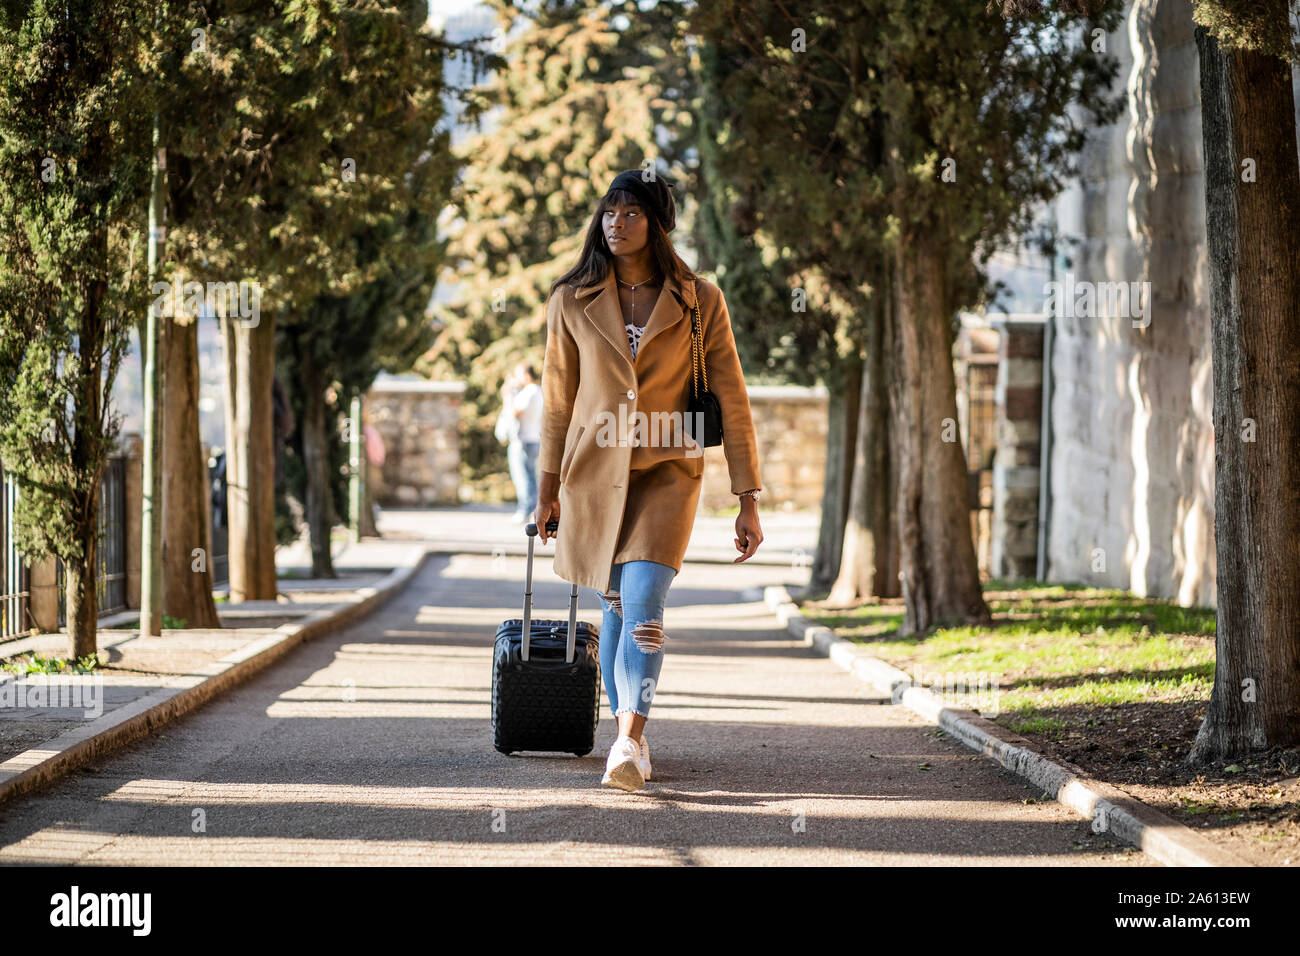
(374, 747)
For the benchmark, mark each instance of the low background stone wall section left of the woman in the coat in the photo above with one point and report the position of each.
(421, 426)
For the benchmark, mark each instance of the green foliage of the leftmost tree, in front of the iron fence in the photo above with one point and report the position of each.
(73, 180)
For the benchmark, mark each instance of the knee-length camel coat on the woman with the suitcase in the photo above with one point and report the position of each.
(631, 478)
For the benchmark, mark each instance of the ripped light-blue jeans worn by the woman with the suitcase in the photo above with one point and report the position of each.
(632, 634)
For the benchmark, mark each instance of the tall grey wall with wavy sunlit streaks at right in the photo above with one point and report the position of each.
(1133, 443)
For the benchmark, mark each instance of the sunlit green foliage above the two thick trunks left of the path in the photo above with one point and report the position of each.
(259, 188)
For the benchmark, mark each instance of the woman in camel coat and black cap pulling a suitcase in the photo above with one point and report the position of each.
(616, 458)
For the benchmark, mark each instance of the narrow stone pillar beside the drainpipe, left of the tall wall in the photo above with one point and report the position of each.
(1019, 416)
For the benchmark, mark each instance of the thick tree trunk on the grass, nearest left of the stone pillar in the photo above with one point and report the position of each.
(941, 576)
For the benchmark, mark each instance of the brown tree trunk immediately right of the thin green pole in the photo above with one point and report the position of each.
(187, 492)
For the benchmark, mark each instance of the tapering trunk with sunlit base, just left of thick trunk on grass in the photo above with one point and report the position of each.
(868, 537)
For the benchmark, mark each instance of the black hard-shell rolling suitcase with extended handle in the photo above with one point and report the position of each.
(547, 678)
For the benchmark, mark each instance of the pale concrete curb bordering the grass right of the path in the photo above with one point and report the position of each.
(1110, 808)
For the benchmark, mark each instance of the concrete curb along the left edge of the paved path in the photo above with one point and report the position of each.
(184, 694)
